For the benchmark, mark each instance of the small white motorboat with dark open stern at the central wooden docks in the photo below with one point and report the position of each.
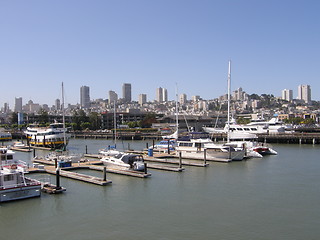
(124, 161)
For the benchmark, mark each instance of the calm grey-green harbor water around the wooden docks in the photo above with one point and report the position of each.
(275, 197)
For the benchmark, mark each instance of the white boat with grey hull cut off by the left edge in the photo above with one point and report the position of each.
(13, 183)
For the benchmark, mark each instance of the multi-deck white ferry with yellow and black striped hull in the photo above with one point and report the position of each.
(55, 136)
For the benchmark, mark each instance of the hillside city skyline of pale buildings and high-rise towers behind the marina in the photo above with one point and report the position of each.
(242, 104)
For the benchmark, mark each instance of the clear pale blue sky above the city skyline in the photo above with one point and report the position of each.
(273, 45)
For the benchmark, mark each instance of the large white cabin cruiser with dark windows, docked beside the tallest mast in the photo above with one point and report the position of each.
(199, 146)
